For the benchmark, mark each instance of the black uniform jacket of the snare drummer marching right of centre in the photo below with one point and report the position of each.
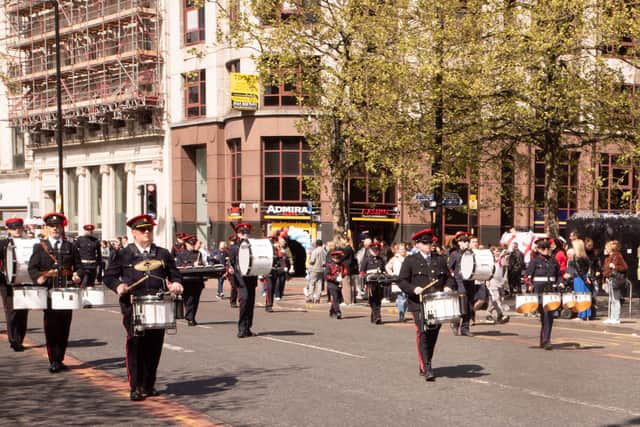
(416, 271)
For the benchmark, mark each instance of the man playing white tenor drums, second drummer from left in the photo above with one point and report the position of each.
(54, 263)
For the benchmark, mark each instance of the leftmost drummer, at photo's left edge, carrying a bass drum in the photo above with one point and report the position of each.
(16, 319)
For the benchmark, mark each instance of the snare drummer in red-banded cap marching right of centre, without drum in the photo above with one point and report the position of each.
(417, 271)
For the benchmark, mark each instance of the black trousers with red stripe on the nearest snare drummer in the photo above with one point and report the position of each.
(142, 354)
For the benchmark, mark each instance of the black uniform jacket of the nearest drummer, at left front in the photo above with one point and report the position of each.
(122, 270)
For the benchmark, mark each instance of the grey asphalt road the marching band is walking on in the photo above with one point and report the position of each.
(305, 369)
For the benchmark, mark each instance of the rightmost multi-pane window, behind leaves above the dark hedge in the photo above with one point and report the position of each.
(618, 184)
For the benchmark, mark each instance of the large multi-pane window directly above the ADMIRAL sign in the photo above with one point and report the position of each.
(286, 162)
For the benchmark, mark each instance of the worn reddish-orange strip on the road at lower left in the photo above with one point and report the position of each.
(164, 408)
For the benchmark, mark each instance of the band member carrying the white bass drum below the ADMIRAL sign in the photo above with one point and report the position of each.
(246, 284)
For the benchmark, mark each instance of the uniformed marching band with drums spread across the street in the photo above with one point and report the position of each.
(155, 287)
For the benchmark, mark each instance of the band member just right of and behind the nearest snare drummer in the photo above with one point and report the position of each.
(193, 284)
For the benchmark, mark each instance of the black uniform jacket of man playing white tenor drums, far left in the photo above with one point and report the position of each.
(45, 258)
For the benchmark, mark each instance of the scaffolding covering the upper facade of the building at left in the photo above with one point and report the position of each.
(109, 56)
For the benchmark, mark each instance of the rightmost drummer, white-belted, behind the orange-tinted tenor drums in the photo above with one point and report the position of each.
(543, 275)
